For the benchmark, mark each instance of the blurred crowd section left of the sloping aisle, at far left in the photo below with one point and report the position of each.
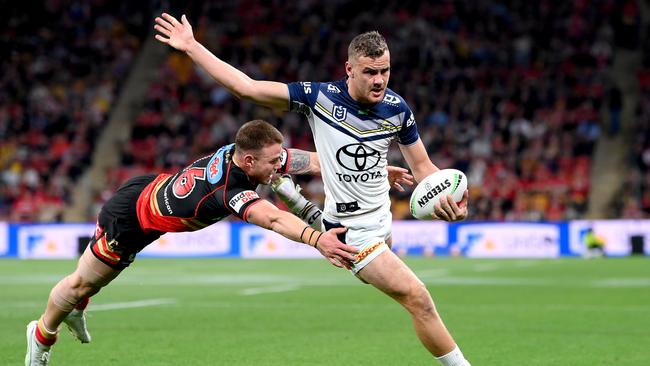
(62, 65)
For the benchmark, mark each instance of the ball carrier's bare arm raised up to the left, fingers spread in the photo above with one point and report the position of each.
(180, 36)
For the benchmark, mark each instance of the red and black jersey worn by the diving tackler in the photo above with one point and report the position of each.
(201, 194)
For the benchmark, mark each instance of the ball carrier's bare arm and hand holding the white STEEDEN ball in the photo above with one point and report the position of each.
(418, 160)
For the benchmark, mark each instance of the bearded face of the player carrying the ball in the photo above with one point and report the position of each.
(368, 78)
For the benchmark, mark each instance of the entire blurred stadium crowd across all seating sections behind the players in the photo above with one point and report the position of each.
(509, 92)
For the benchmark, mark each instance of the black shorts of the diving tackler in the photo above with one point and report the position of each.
(118, 236)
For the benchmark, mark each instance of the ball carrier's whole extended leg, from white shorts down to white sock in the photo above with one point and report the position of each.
(389, 274)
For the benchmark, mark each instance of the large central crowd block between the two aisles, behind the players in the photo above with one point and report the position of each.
(509, 93)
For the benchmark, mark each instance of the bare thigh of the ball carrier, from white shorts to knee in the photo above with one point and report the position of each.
(390, 274)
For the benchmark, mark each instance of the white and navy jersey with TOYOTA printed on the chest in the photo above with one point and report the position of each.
(352, 141)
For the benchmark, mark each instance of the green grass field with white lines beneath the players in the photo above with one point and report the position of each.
(306, 312)
